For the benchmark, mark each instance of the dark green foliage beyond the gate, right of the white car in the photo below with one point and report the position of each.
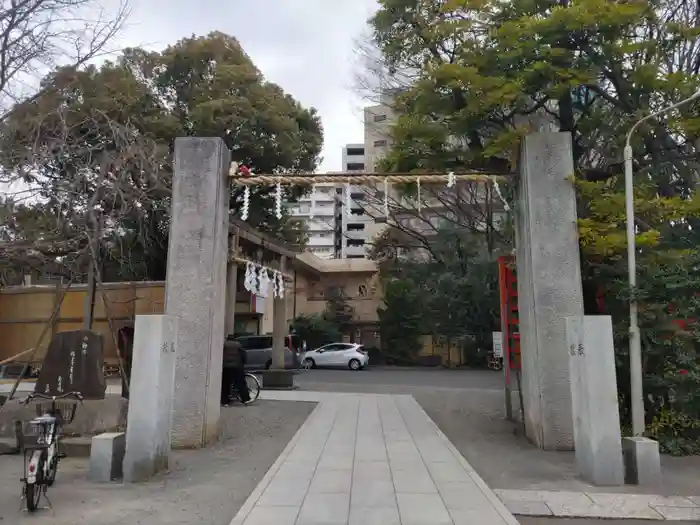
(452, 293)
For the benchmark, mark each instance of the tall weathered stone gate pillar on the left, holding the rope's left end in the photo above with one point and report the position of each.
(196, 285)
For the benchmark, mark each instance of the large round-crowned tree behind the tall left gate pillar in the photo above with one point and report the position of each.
(56, 143)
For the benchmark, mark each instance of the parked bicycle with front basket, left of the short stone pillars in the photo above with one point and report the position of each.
(41, 457)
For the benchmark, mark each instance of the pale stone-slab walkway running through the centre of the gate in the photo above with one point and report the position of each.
(366, 459)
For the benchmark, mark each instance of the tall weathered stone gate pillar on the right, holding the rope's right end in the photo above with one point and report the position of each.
(549, 285)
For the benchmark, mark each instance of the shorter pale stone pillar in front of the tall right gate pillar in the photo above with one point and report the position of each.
(596, 415)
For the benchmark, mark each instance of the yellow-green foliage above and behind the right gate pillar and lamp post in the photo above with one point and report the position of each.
(480, 70)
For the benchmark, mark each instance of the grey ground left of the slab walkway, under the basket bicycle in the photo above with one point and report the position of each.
(203, 486)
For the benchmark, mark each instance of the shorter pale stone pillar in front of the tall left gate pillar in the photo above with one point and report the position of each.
(148, 430)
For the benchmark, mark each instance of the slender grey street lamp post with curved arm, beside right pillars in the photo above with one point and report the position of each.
(636, 388)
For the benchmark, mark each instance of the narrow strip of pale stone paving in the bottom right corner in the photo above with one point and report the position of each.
(600, 505)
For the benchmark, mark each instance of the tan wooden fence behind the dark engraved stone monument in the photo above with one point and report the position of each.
(25, 311)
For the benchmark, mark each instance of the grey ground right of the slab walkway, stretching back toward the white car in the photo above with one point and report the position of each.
(468, 406)
